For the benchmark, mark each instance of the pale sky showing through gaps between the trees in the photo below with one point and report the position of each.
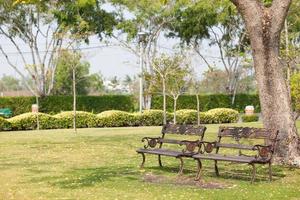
(110, 61)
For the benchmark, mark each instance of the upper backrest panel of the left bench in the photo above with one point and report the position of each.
(184, 129)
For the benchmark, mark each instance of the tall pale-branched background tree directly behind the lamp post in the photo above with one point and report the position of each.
(149, 16)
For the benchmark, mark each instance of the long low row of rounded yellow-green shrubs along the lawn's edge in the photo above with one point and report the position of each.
(114, 118)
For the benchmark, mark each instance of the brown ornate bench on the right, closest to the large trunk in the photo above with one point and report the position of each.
(263, 152)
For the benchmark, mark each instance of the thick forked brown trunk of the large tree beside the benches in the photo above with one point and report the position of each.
(264, 25)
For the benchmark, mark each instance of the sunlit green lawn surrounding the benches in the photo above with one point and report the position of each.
(103, 164)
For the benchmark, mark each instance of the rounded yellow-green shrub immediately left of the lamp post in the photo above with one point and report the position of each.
(116, 118)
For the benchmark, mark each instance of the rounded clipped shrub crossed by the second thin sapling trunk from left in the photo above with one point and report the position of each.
(83, 119)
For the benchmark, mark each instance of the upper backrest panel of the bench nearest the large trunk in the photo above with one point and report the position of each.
(245, 132)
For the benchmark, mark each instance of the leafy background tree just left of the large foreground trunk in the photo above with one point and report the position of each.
(220, 23)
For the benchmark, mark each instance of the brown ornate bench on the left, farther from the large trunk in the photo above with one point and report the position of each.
(155, 145)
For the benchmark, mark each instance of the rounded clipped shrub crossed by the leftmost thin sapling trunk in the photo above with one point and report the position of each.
(28, 121)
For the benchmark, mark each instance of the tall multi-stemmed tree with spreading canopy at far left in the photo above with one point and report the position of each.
(41, 28)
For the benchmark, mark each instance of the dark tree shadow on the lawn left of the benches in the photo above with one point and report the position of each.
(88, 177)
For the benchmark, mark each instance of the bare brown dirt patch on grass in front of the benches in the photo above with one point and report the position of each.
(184, 181)
